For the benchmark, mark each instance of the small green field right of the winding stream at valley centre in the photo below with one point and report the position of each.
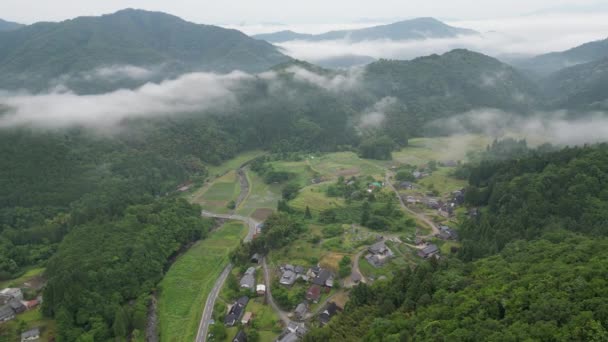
(261, 195)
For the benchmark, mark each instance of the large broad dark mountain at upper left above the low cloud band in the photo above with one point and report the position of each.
(39, 53)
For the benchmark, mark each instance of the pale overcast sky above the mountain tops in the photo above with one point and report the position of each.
(236, 12)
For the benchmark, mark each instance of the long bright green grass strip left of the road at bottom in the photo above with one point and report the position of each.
(184, 289)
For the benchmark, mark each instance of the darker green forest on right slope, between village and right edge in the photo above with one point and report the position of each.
(541, 192)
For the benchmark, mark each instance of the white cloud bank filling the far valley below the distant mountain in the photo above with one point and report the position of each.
(517, 36)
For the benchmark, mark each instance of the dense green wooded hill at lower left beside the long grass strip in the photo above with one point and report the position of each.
(100, 279)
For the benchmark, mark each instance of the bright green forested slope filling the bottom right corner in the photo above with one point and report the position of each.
(548, 290)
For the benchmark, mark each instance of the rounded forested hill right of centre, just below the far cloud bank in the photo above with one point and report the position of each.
(439, 86)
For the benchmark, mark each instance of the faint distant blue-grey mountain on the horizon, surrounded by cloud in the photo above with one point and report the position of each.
(420, 28)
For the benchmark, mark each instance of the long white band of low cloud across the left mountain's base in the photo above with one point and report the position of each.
(59, 109)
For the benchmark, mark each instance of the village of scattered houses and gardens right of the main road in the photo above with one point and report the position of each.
(318, 290)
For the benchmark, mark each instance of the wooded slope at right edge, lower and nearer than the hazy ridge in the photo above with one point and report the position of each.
(579, 87)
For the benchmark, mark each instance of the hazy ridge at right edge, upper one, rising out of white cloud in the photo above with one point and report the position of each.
(543, 65)
